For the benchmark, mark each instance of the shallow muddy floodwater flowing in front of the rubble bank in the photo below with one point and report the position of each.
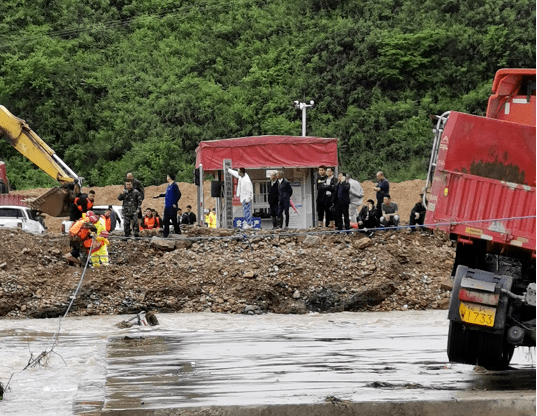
(217, 360)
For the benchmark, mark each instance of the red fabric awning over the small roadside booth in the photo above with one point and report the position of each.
(268, 152)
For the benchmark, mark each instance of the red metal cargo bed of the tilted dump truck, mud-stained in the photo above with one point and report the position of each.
(484, 179)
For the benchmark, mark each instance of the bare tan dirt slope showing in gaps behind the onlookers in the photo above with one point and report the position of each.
(405, 194)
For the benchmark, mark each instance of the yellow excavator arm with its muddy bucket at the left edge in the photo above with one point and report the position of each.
(55, 202)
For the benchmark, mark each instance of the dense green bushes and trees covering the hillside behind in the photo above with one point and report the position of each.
(134, 85)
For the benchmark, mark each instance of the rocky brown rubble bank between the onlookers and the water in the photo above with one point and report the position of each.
(229, 272)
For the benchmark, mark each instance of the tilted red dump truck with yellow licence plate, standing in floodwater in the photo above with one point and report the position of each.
(482, 193)
